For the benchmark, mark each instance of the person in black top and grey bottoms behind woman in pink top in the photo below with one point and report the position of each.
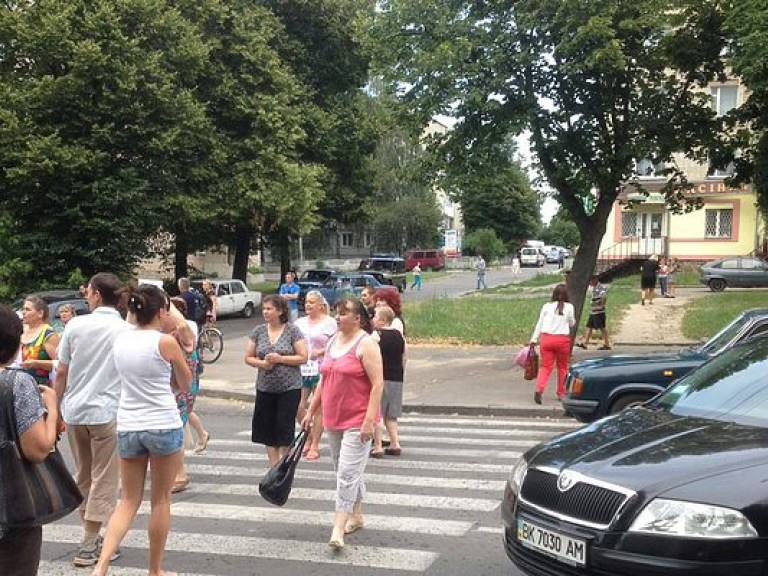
(393, 356)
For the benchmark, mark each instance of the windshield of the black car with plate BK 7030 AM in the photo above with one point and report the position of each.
(731, 388)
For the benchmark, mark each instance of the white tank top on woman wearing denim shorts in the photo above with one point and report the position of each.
(146, 399)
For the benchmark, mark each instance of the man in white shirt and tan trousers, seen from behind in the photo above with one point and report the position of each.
(88, 387)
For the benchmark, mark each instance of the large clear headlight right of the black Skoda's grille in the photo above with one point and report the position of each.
(693, 520)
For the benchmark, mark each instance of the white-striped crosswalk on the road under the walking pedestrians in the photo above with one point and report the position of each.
(446, 486)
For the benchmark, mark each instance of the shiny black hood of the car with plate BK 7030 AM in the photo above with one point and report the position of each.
(655, 452)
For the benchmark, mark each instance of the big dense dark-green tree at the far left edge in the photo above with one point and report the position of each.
(97, 119)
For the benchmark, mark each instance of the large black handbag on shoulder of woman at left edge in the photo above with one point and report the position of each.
(31, 494)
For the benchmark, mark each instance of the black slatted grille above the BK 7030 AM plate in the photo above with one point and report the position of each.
(583, 503)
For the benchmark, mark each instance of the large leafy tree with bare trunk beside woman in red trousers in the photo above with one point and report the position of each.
(600, 85)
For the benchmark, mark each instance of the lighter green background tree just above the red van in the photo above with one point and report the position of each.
(404, 211)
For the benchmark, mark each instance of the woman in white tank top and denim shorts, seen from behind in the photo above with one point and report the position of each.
(149, 429)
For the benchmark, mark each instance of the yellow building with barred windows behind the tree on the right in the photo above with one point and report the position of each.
(727, 224)
